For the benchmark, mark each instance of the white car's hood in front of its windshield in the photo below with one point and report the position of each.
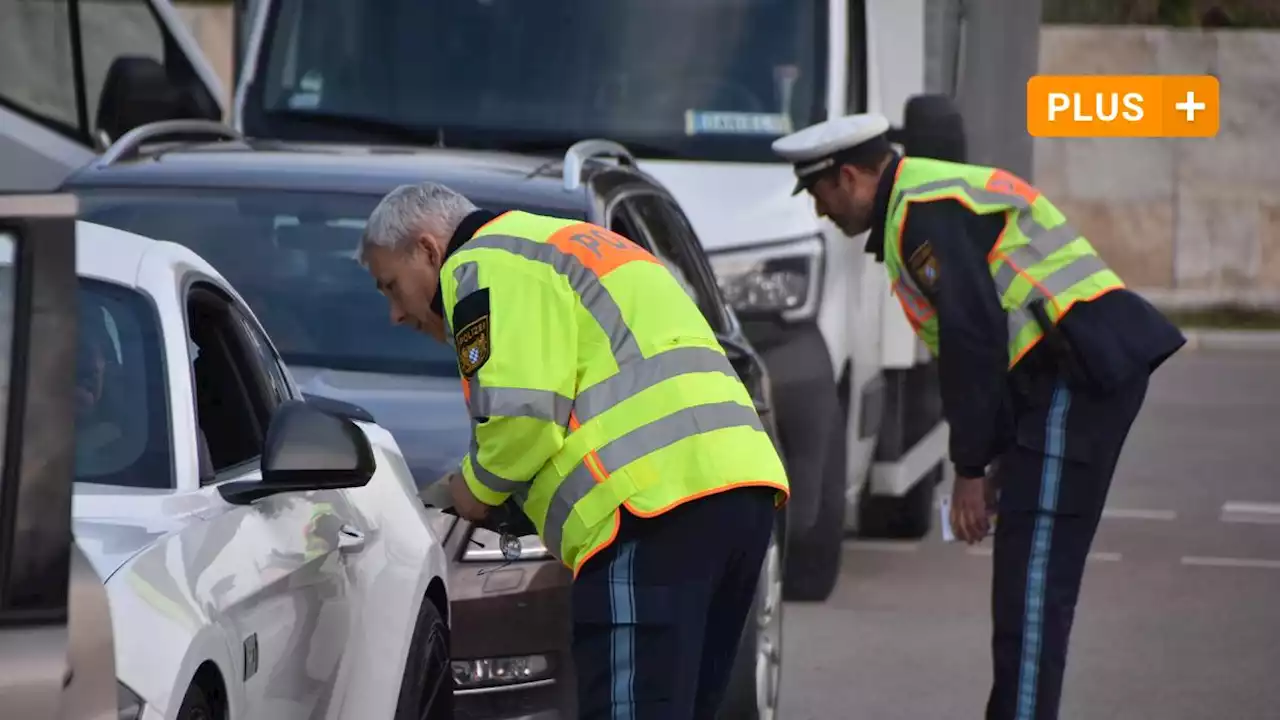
(112, 525)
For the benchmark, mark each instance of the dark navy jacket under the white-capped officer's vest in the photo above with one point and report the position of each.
(1114, 338)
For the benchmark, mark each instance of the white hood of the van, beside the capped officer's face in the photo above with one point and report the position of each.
(738, 204)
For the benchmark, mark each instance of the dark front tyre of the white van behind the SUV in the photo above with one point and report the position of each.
(813, 557)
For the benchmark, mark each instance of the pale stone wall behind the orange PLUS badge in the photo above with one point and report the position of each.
(1188, 221)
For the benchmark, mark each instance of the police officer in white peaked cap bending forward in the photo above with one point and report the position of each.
(984, 265)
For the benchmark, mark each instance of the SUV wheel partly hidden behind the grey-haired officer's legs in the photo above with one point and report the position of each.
(753, 686)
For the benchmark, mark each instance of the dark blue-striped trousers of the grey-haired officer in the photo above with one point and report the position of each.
(659, 614)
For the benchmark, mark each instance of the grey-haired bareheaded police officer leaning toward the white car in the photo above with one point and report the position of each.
(605, 407)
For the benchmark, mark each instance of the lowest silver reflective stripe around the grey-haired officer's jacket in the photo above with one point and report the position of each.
(634, 446)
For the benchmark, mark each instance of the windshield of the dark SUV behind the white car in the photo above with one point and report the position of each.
(292, 257)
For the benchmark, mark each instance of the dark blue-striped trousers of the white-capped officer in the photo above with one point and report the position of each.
(1054, 481)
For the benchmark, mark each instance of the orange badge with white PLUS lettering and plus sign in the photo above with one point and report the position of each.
(1123, 107)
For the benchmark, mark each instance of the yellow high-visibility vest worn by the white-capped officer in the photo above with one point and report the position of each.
(1039, 254)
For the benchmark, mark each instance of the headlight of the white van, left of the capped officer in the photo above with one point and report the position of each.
(783, 279)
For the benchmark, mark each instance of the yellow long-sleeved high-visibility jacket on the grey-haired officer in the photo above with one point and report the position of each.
(615, 375)
